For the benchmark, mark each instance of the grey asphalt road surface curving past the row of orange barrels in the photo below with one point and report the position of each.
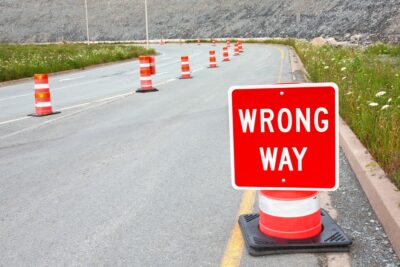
(125, 179)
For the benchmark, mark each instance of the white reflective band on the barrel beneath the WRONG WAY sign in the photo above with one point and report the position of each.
(289, 209)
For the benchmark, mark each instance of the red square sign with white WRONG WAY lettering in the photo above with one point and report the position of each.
(284, 136)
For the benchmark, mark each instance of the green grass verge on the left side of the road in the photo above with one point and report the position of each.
(20, 61)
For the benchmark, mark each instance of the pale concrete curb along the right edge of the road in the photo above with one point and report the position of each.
(380, 191)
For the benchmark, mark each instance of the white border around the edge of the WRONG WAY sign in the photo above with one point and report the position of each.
(275, 86)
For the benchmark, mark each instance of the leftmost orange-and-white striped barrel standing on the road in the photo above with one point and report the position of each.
(42, 95)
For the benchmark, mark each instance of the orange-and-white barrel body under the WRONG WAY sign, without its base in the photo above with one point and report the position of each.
(290, 214)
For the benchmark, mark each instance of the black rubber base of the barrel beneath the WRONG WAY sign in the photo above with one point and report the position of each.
(331, 239)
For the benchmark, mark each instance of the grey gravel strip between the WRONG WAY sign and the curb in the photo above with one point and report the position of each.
(371, 247)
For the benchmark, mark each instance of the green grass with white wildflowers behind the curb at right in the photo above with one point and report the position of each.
(369, 93)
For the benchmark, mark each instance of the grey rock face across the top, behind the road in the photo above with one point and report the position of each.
(58, 20)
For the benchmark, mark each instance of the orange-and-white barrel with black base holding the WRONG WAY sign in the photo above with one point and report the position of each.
(290, 222)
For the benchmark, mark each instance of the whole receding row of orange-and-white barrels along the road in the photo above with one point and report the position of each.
(147, 68)
